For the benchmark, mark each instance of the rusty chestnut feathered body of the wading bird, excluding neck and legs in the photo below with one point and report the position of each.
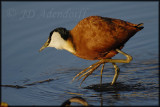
(97, 37)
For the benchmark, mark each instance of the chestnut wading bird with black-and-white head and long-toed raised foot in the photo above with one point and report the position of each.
(95, 38)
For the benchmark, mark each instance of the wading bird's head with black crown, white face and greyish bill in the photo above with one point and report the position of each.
(57, 39)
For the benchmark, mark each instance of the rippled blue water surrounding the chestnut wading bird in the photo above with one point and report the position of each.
(25, 28)
